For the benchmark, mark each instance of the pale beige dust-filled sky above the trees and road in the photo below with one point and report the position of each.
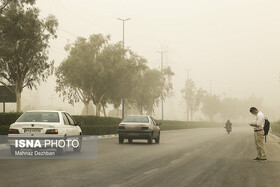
(234, 43)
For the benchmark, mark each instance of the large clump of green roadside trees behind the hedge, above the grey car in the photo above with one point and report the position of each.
(99, 71)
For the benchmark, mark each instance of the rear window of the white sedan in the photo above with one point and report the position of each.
(49, 117)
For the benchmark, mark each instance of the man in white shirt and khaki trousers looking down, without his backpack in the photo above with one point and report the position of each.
(259, 133)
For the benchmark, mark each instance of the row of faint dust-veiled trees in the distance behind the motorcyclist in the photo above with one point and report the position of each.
(212, 105)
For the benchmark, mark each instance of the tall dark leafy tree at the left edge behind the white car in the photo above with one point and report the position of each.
(24, 46)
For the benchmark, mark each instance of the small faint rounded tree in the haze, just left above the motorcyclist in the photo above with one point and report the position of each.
(211, 106)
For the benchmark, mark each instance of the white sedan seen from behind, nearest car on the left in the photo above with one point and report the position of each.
(44, 124)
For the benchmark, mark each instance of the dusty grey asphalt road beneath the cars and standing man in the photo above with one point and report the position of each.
(193, 157)
